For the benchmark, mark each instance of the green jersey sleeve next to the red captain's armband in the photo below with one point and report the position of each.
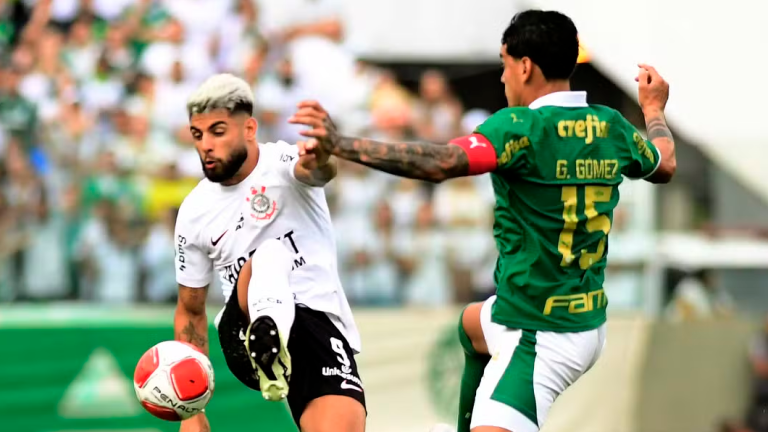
(509, 133)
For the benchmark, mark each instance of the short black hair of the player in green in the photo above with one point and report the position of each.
(548, 38)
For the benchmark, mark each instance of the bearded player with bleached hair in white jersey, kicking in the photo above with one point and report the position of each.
(260, 220)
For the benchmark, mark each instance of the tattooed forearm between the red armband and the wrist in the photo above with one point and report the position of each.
(418, 160)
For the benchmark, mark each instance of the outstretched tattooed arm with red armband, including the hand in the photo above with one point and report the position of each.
(418, 160)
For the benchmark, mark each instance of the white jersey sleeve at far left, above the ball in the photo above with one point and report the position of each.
(194, 268)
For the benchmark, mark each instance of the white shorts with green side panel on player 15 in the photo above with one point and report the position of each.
(528, 371)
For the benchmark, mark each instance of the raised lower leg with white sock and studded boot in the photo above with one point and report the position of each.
(264, 295)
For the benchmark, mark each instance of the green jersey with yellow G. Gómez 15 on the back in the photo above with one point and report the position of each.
(556, 185)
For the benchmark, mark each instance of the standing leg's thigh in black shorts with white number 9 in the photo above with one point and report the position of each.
(323, 366)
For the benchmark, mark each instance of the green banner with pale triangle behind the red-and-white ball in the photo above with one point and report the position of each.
(70, 370)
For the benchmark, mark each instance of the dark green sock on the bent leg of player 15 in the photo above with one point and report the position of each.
(474, 366)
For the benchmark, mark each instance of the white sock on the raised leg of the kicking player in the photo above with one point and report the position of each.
(269, 292)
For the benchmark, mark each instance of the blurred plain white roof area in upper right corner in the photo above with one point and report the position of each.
(712, 55)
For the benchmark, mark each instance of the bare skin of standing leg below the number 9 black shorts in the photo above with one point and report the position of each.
(333, 413)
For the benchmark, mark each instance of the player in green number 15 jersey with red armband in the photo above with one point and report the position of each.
(556, 163)
